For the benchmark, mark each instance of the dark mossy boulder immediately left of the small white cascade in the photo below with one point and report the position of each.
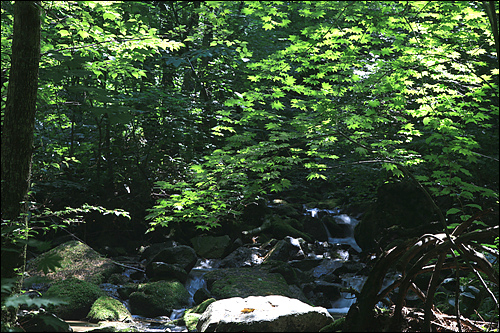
(158, 298)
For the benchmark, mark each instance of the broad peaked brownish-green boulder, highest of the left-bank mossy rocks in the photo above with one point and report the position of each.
(78, 260)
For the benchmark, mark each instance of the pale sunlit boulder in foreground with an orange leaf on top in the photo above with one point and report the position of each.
(263, 314)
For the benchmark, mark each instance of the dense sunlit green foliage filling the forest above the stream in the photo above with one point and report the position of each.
(190, 111)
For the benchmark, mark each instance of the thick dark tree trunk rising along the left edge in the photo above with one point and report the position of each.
(17, 133)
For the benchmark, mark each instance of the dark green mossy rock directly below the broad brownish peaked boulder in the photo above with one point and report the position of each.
(79, 295)
